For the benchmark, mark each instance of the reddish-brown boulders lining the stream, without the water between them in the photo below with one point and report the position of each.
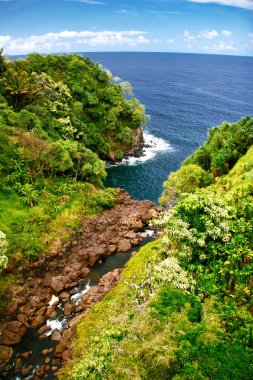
(58, 273)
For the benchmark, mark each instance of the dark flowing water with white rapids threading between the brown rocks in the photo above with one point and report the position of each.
(32, 340)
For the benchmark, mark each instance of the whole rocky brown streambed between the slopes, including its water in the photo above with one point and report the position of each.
(37, 328)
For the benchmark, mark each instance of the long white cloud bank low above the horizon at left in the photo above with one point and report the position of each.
(67, 40)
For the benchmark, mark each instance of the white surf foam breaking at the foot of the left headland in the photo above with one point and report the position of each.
(153, 145)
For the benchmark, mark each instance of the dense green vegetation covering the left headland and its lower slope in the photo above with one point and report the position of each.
(59, 116)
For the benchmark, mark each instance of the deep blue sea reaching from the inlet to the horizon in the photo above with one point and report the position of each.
(185, 95)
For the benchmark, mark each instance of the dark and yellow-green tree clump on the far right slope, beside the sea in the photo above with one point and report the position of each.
(224, 147)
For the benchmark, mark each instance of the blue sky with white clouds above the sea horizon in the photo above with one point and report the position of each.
(191, 26)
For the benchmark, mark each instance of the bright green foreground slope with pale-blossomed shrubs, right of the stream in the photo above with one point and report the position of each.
(183, 307)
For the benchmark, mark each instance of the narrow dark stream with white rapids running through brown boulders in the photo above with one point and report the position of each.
(37, 349)
